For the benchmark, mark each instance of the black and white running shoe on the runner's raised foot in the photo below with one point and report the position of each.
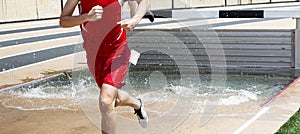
(142, 115)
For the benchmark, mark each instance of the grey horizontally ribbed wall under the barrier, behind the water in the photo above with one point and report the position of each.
(246, 51)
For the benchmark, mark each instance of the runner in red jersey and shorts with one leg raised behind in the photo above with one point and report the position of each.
(107, 52)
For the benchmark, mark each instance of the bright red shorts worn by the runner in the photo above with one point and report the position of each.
(110, 64)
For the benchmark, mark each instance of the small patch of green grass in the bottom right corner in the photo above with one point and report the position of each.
(292, 126)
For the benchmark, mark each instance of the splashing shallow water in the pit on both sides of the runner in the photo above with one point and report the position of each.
(239, 90)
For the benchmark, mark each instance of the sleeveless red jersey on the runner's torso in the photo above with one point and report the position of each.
(106, 30)
